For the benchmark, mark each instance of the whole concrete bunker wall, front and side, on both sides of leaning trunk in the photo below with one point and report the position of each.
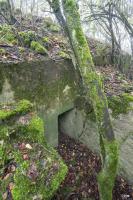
(51, 87)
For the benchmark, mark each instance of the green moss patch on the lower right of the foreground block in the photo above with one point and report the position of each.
(25, 188)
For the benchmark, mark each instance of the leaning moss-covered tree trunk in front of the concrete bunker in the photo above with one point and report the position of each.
(94, 92)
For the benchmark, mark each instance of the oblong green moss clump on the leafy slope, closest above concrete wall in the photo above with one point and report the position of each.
(38, 47)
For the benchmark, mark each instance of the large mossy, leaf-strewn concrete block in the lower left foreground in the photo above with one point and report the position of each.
(29, 168)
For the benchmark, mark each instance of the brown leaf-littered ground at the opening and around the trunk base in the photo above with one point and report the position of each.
(81, 182)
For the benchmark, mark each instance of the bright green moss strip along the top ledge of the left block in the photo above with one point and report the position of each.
(22, 107)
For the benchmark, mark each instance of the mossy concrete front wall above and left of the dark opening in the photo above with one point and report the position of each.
(49, 85)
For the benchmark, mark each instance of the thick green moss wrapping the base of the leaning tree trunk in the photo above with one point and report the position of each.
(106, 177)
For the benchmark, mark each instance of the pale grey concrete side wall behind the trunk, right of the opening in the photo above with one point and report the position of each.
(74, 123)
